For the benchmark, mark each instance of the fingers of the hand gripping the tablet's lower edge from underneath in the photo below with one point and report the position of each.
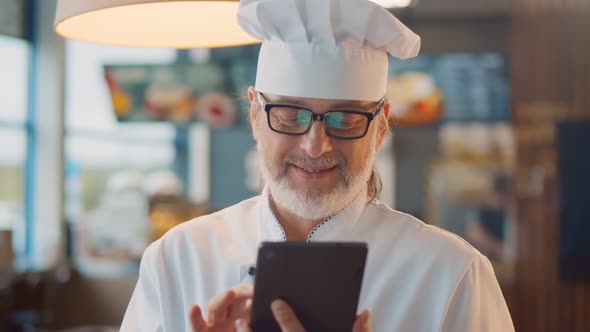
(288, 321)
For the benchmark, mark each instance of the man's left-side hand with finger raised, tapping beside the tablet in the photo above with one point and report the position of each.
(223, 310)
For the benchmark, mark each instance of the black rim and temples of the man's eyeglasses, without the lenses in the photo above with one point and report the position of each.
(321, 117)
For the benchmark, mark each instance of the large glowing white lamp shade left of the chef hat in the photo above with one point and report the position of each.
(152, 23)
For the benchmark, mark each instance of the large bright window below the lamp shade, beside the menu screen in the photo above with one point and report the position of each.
(107, 162)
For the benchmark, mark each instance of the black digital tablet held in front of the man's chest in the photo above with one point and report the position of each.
(321, 281)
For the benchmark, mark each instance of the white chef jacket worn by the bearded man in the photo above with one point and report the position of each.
(417, 277)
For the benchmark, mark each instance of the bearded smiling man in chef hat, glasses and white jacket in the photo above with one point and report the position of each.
(318, 117)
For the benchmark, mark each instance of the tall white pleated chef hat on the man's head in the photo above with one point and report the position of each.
(332, 49)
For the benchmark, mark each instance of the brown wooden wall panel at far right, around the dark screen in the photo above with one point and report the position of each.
(550, 73)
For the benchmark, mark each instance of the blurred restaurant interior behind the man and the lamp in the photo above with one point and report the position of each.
(105, 148)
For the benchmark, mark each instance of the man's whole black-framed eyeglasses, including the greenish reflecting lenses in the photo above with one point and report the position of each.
(297, 120)
